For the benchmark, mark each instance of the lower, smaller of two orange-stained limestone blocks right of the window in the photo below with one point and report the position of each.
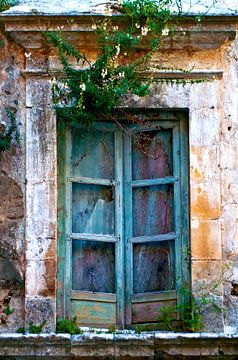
(206, 239)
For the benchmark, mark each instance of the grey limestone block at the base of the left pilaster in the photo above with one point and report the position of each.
(39, 309)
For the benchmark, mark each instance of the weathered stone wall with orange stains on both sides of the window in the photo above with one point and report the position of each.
(28, 173)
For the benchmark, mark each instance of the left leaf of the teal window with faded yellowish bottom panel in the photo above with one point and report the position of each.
(92, 246)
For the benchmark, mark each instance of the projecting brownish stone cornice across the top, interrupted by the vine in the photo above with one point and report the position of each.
(27, 31)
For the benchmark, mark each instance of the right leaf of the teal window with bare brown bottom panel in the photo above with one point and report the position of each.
(153, 231)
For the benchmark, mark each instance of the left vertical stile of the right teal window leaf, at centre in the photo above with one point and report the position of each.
(128, 226)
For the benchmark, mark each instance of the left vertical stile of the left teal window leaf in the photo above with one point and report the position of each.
(68, 223)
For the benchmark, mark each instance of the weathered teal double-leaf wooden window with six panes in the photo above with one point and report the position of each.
(121, 247)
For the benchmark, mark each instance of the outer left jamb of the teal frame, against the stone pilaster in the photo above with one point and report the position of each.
(61, 143)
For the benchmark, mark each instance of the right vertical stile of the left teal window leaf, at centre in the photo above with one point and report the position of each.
(119, 216)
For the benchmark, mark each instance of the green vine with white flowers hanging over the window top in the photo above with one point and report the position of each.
(125, 48)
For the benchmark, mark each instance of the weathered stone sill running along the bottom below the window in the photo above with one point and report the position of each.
(154, 345)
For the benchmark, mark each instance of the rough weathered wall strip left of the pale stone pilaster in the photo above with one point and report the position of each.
(12, 192)
